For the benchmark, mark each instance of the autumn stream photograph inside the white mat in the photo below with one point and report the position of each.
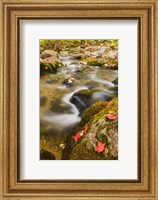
(78, 99)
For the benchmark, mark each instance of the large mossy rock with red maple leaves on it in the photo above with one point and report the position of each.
(101, 121)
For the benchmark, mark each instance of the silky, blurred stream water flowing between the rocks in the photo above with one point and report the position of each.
(57, 114)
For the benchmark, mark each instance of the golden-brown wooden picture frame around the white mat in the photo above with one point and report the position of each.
(14, 188)
